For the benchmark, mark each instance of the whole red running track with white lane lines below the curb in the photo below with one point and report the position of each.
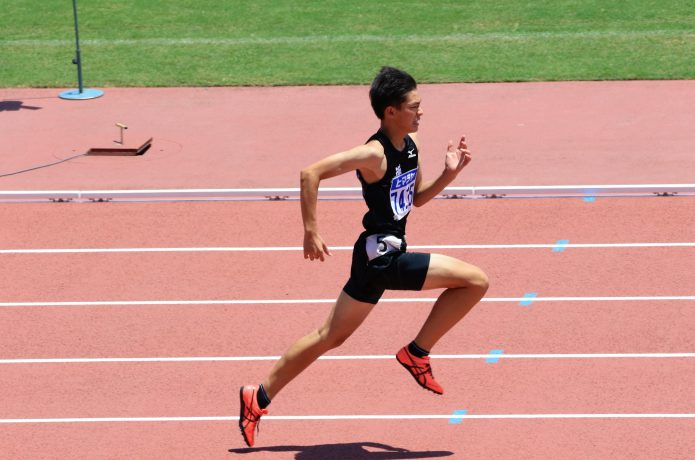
(139, 354)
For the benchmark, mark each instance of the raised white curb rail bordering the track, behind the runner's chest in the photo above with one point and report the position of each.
(351, 192)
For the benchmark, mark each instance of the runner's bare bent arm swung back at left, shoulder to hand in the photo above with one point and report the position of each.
(367, 158)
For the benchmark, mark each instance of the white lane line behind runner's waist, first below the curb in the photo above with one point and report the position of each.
(341, 248)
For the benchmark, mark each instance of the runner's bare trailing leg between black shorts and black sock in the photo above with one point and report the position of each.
(345, 317)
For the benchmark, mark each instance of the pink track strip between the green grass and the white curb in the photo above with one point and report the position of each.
(573, 133)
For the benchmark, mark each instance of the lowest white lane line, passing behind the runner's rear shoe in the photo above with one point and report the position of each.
(452, 416)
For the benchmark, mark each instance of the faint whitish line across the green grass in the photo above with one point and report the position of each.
(361, 38)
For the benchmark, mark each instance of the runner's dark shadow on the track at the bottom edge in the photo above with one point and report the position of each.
(355, 450)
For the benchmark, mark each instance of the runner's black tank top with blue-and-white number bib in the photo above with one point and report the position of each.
(390, 199)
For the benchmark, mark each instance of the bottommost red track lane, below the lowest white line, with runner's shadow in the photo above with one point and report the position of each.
(473, 439)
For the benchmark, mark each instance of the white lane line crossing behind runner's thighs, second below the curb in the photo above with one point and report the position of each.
(107, 303)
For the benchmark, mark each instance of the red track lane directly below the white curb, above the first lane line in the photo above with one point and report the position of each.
(205, 224)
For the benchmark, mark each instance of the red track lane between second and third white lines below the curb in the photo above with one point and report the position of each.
(224, 330)
